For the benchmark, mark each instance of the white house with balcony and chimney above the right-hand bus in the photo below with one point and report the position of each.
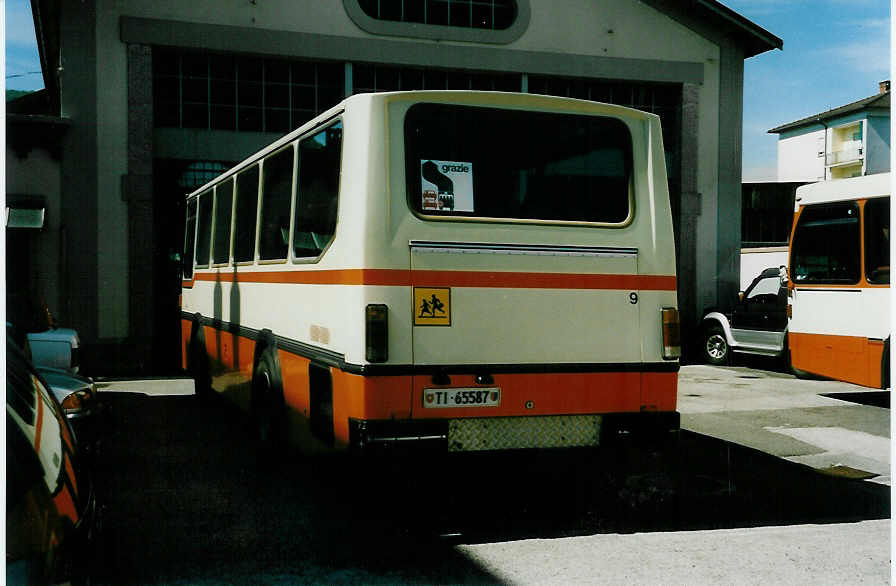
(848, 141)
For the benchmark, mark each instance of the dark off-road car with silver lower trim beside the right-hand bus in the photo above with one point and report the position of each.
(757, 325)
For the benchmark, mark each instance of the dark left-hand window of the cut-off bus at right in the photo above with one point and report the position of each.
(826, 244)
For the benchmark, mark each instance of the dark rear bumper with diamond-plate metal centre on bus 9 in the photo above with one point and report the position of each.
(499, 433)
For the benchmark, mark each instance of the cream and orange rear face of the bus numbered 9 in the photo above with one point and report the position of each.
(538, 242)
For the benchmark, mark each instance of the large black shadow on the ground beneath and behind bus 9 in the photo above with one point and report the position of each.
(187, 499)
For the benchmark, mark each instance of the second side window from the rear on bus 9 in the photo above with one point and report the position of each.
(276, 196)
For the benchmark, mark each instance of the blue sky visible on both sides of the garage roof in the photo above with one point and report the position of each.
(835, 52)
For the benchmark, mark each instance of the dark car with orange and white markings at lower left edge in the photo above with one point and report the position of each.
(50, 507)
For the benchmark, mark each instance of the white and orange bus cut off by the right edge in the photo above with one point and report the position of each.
(839, 298)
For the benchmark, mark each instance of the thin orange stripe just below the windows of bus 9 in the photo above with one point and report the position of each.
(486, 279)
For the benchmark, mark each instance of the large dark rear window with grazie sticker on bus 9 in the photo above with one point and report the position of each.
(478, 162)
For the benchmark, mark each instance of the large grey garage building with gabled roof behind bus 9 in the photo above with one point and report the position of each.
(145, 101)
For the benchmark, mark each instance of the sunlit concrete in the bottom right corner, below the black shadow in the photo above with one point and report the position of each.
(850, 553)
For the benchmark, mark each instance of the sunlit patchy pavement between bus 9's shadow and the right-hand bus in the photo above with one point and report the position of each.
(788, 417)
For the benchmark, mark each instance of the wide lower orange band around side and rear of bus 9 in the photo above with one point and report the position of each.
(401, 397)
